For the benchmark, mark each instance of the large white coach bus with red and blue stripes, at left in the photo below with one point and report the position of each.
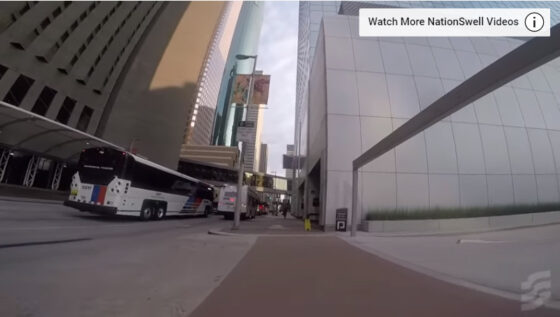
(114, 182)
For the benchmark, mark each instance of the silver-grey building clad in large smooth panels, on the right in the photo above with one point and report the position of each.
(502, 149)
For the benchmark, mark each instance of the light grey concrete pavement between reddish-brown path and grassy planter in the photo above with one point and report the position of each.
(496, 262)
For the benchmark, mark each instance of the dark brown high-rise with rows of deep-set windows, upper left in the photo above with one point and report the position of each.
(123, 71)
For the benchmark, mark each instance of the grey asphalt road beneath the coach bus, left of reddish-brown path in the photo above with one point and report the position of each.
(57, 261)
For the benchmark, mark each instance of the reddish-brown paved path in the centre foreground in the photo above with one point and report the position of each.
(324, 276)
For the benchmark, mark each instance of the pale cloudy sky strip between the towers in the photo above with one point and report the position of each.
(278, 57)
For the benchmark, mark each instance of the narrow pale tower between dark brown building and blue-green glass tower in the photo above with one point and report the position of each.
(199, 128)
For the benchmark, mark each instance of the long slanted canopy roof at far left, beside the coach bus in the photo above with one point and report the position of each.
(27, 131)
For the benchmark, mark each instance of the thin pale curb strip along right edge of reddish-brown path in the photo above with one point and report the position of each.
(554, 304)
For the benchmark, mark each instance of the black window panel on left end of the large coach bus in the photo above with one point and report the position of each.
(100, 165)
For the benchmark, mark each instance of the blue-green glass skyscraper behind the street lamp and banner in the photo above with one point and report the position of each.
(245, 42)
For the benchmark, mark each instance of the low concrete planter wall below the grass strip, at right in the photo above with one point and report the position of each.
(461, 224)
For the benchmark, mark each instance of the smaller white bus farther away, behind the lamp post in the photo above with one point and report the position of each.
(226, 202)
